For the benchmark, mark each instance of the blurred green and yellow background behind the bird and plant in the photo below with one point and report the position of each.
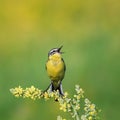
(90, 33)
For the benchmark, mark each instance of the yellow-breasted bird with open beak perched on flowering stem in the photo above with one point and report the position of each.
(55, 67)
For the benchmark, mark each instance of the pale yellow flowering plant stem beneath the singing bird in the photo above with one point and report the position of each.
(66, 104)
